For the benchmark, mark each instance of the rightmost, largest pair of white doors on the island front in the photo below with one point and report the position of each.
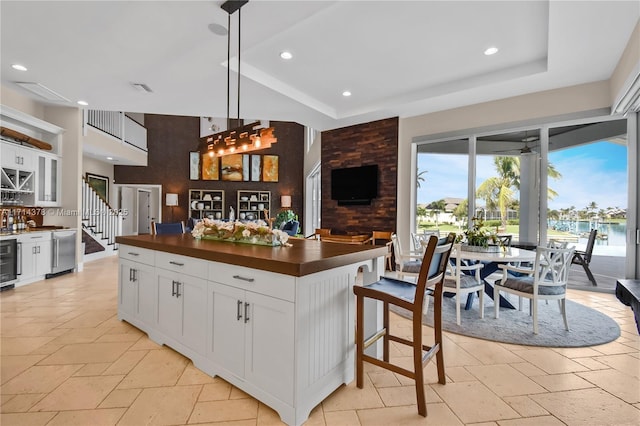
(253, 338)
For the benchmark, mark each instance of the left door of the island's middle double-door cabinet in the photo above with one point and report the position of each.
(169, 305)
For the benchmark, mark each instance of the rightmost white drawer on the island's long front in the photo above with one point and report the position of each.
(263, 282)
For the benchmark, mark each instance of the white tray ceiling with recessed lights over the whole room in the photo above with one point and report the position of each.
(397, 58)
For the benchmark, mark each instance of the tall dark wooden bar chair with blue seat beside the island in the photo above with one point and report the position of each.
(409, 296)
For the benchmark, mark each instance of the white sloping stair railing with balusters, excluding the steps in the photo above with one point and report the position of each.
(104, 222)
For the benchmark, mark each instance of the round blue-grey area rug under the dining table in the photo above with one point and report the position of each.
(587, 327)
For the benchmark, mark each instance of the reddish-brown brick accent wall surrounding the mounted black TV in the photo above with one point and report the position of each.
(361, 145)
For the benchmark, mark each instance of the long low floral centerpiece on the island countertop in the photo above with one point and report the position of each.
(257, 232)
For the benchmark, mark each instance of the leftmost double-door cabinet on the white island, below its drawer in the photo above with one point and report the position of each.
(136, 295)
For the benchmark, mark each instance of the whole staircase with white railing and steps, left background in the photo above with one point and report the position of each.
(100, 222)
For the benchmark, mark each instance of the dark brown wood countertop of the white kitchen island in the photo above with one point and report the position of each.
(304, 257)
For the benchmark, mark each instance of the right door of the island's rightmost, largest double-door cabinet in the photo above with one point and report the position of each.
(270, 345)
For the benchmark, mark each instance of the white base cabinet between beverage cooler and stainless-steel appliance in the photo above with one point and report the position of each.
(34, 256)
